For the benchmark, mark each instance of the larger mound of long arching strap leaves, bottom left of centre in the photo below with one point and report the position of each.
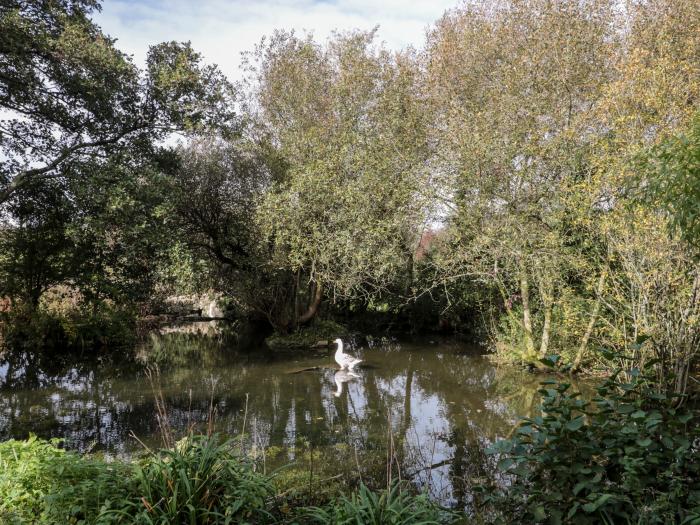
(201, 481)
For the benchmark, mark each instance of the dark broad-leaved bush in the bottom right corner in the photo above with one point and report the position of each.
(628, 456)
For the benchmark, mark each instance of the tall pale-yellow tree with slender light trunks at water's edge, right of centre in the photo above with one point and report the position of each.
(512, 87)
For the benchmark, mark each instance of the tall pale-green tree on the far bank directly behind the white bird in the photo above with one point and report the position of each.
(346, 118)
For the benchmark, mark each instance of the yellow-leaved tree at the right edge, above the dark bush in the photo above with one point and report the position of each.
(647, 111)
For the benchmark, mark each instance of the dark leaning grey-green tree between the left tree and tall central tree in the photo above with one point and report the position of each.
(216, 191)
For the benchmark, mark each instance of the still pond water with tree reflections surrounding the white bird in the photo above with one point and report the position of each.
(426, 408)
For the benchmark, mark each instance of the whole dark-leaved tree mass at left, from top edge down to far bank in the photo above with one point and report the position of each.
(82, 170)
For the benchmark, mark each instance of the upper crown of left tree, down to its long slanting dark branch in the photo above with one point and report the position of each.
(68, 94)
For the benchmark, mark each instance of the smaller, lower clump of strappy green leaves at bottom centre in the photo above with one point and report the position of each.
(395, 506)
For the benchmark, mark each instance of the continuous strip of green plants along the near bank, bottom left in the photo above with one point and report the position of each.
(202, 480)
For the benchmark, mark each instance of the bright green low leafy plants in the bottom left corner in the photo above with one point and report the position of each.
(42, 484)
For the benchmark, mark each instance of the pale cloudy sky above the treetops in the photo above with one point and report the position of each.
(222, 29)
